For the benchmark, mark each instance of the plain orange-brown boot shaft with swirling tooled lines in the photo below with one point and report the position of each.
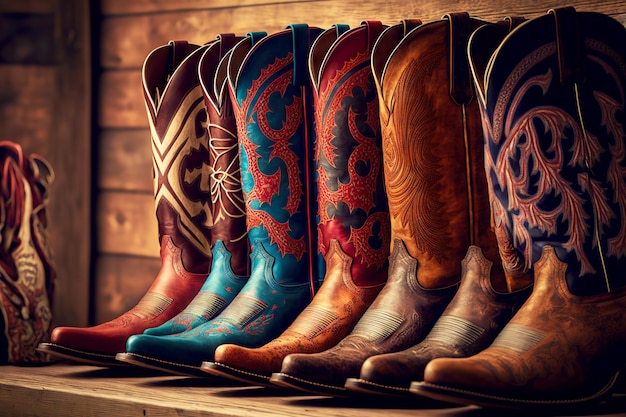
(433, 149)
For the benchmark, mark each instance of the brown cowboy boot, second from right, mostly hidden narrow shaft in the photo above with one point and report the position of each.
(488, 296)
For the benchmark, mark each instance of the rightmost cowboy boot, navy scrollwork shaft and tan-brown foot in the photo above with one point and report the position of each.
(555, 157)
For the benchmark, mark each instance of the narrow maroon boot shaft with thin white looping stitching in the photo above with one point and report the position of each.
(227, 203)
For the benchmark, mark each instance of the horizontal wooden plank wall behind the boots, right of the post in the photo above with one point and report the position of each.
(127, 245)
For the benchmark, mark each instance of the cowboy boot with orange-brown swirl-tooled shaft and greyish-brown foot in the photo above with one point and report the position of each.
(435, 201)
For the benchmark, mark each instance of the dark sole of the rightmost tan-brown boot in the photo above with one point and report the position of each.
(467, 397)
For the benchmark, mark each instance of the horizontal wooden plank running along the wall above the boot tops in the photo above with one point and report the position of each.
(126, 40)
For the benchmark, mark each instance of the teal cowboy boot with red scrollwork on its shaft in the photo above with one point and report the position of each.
(271, 98)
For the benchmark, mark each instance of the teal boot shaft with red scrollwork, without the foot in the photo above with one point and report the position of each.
(272, 100)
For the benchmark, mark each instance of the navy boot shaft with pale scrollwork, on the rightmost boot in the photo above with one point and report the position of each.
(554, 116)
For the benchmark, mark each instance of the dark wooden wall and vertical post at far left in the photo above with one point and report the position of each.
(45, 106)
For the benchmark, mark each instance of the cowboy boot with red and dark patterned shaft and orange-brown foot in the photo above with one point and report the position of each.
(353, 228)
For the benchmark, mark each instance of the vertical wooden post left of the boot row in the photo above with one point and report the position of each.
(70, 153)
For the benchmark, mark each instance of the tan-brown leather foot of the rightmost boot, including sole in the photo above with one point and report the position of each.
(559, 351)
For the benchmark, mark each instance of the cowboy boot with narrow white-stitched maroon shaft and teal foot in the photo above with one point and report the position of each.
(230, 253)
